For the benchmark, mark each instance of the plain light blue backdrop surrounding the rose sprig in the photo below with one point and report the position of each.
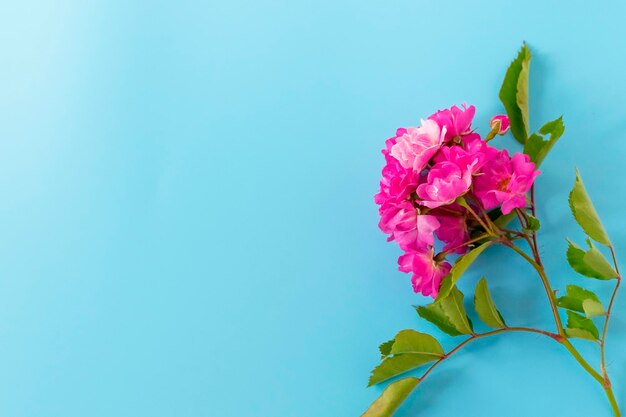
(187, 225)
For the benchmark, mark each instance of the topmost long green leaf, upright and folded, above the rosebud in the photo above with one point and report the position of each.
(514, 94)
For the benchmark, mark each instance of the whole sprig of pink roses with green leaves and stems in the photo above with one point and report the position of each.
(446, 195)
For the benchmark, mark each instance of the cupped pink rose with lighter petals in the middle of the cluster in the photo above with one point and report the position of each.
(445, 183)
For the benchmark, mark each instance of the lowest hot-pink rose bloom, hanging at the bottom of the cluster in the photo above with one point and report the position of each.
(426, 272)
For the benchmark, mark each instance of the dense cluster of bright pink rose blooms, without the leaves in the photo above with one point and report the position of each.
(439, 180)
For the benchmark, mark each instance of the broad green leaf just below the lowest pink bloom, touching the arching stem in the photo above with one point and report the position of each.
(448, 315)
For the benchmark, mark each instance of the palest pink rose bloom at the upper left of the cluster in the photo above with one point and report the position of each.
(417, 145)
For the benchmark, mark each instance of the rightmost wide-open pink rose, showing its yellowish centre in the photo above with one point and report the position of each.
(505, 181)
